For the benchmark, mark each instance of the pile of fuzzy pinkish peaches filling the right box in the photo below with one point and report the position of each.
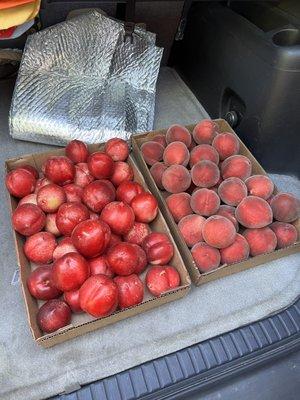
(224, 213)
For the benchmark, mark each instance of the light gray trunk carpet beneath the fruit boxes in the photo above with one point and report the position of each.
(28, 371)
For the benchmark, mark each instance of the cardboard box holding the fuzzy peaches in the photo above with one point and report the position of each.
(224, 270)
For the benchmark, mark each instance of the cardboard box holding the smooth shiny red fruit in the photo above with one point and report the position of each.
(83, 323)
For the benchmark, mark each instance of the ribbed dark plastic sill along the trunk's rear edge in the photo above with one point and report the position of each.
(181, 373)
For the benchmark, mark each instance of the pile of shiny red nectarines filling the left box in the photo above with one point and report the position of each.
(86, 224)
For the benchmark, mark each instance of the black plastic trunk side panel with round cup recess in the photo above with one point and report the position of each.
(246, 59)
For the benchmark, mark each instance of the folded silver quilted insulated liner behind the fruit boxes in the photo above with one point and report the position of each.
(81, 79)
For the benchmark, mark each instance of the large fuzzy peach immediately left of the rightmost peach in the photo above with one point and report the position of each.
(254, 212)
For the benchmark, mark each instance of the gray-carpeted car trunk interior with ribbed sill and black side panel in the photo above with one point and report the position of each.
(235, 61)
